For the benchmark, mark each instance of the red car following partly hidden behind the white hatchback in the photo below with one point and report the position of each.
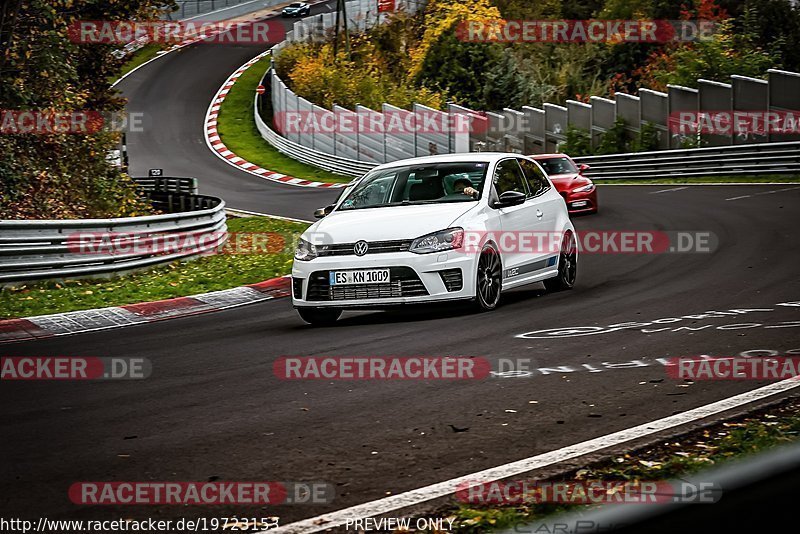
(578, 191)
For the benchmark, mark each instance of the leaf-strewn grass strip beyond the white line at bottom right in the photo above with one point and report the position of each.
(746, 435)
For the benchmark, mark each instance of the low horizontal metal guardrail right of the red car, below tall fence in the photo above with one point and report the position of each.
(740, 160)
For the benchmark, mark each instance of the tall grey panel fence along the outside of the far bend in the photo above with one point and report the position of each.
(672, 120)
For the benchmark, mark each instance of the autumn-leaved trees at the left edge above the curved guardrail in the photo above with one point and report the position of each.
(64, 175)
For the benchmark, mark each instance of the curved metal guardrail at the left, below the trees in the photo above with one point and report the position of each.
(90, 248)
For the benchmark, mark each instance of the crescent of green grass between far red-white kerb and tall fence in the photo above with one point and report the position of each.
(237, 129)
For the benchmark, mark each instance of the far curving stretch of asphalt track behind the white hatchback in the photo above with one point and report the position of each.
(173, 94)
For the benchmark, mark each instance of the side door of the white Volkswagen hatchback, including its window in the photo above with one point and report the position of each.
(515, 221)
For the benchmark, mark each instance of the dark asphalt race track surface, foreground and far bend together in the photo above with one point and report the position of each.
(214, 410)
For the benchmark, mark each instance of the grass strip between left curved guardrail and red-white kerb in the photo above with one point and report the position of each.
(178, 279)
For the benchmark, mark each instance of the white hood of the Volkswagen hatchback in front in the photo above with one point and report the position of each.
(387, 224)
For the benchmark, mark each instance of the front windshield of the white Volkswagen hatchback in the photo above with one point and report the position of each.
(431, 183)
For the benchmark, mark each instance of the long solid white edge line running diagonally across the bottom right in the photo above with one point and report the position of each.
(442, 489)
